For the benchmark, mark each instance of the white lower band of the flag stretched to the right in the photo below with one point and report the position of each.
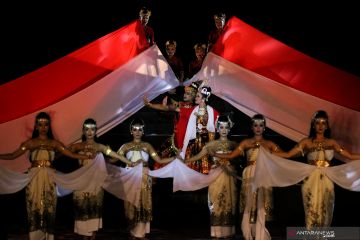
(287, 110)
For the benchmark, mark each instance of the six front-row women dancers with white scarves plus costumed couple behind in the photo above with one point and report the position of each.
(197, 161)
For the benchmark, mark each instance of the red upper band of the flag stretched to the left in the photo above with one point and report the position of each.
(71, 73)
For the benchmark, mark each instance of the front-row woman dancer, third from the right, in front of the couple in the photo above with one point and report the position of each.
(222, 192)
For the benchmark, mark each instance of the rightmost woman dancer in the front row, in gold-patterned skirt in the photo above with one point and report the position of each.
(317, 189)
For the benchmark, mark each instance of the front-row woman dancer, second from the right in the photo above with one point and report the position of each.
(256, 206)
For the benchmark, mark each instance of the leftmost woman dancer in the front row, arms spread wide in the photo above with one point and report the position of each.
(41, 196)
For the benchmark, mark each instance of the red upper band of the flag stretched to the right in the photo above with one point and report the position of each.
(254, 50)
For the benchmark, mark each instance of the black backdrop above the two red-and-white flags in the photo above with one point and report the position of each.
(34, 33)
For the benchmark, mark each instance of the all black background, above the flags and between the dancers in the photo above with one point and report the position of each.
(34, 34)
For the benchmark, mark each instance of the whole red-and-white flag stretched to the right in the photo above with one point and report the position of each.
(258, 74)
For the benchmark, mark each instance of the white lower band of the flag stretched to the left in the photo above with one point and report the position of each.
(109, 101)
